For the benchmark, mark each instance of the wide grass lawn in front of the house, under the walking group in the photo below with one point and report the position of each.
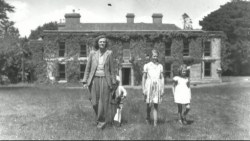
(218, 112)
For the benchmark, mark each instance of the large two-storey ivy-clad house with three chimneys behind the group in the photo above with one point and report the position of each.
(66, 49)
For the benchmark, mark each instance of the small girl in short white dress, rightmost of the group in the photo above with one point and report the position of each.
(182, 92)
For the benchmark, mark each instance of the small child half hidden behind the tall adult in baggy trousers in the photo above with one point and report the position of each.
(120, 95)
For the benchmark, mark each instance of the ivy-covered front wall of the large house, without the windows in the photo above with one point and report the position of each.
(140, 45)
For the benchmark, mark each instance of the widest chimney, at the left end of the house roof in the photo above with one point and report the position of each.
(72, 19)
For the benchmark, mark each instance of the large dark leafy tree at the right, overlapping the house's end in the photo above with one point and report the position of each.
(233, 19)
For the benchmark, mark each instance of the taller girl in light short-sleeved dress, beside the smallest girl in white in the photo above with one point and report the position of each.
(153, 85)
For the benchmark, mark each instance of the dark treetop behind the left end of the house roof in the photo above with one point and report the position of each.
(35, 34)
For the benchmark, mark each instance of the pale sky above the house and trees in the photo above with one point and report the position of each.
(29, 14)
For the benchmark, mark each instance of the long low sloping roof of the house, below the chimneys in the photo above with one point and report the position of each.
(119, 27)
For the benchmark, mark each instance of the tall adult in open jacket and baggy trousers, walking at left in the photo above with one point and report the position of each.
(99, 78)
